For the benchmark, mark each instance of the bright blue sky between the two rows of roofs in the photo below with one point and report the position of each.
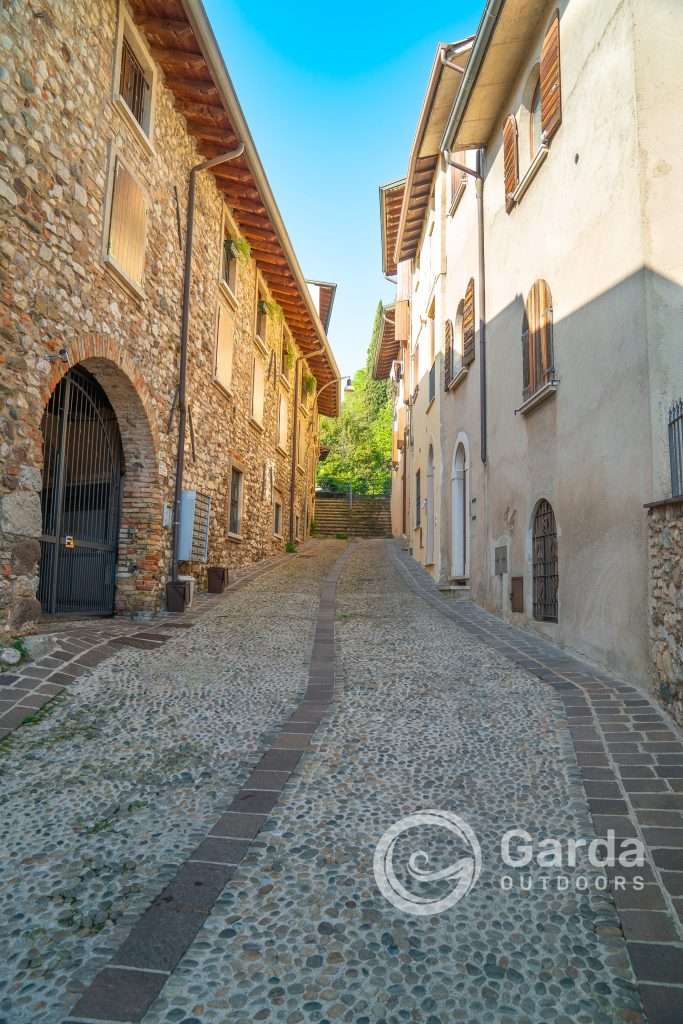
(332, 96)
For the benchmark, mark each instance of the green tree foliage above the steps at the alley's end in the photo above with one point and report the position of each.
(360, 440)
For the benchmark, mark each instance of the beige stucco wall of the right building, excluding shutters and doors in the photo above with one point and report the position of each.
(602, 224)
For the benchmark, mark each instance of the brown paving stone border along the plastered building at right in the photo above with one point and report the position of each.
(631, 759)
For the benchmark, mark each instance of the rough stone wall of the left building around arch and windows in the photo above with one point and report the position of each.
(61, 306)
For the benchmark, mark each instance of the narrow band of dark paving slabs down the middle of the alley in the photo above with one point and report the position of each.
(125, 990)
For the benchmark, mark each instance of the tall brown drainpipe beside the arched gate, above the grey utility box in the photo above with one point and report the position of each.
(185, 335)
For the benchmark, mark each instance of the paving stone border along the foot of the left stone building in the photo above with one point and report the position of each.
(80, 647)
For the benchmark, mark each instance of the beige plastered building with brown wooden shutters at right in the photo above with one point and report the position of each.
(537, 325)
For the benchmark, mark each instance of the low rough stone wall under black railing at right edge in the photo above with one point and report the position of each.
(666, 557)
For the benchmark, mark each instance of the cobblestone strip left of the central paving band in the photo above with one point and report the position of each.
(113, 785)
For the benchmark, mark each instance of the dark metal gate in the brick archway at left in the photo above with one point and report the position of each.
(82, 466)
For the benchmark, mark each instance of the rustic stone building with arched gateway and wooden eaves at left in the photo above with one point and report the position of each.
(106, 109)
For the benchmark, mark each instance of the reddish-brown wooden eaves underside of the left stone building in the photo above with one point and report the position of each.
(187, 74)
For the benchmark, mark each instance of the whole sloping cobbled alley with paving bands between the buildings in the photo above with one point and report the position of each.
(190, 831)
